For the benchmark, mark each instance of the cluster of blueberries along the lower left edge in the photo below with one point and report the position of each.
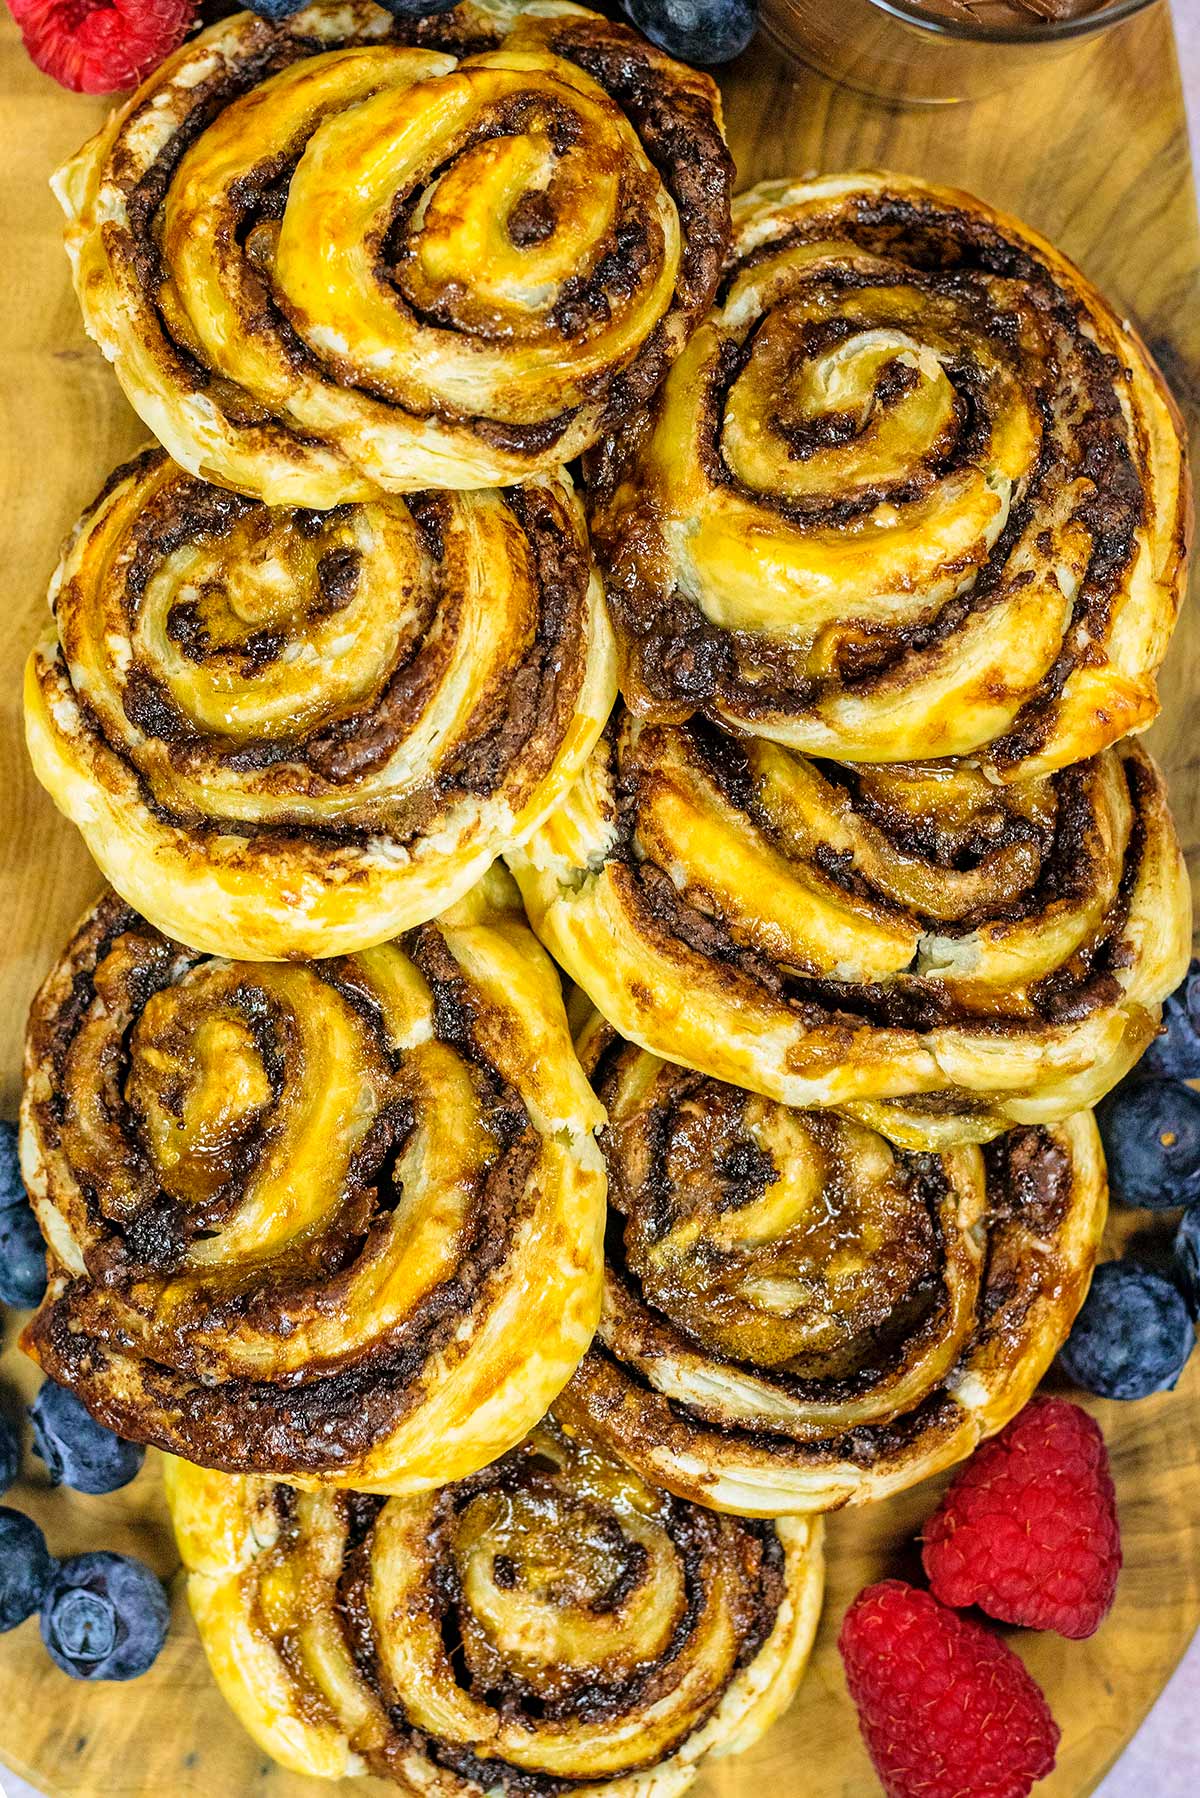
(103, 1616)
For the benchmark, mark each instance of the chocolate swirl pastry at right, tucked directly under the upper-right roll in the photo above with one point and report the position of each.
(929, 950)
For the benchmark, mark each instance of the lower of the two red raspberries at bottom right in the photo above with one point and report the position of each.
(947, 1711)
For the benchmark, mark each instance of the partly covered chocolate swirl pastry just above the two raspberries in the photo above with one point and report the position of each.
(800, 1315)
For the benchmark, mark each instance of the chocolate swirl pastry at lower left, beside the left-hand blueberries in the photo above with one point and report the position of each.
(337, 1222)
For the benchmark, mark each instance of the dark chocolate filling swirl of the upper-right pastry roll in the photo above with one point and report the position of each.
(683, 663)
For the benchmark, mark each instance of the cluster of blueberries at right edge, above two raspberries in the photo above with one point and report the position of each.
(1140, 1322)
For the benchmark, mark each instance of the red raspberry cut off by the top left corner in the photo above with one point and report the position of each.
(102, 46)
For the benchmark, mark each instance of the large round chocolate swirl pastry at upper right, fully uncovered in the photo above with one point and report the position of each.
(911, 492)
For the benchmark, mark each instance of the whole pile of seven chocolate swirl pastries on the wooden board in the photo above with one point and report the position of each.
(776, 594)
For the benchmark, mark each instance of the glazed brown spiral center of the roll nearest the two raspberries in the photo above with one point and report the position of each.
(778, 1238)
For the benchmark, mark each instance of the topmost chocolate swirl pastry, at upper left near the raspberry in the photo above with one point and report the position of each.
(354, 251)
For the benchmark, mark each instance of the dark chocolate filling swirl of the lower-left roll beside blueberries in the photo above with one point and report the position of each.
(332, 1409)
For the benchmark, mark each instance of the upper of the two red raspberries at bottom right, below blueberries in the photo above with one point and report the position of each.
(1030, 1527)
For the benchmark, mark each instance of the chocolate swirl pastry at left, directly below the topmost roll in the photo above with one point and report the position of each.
(294, 734)
